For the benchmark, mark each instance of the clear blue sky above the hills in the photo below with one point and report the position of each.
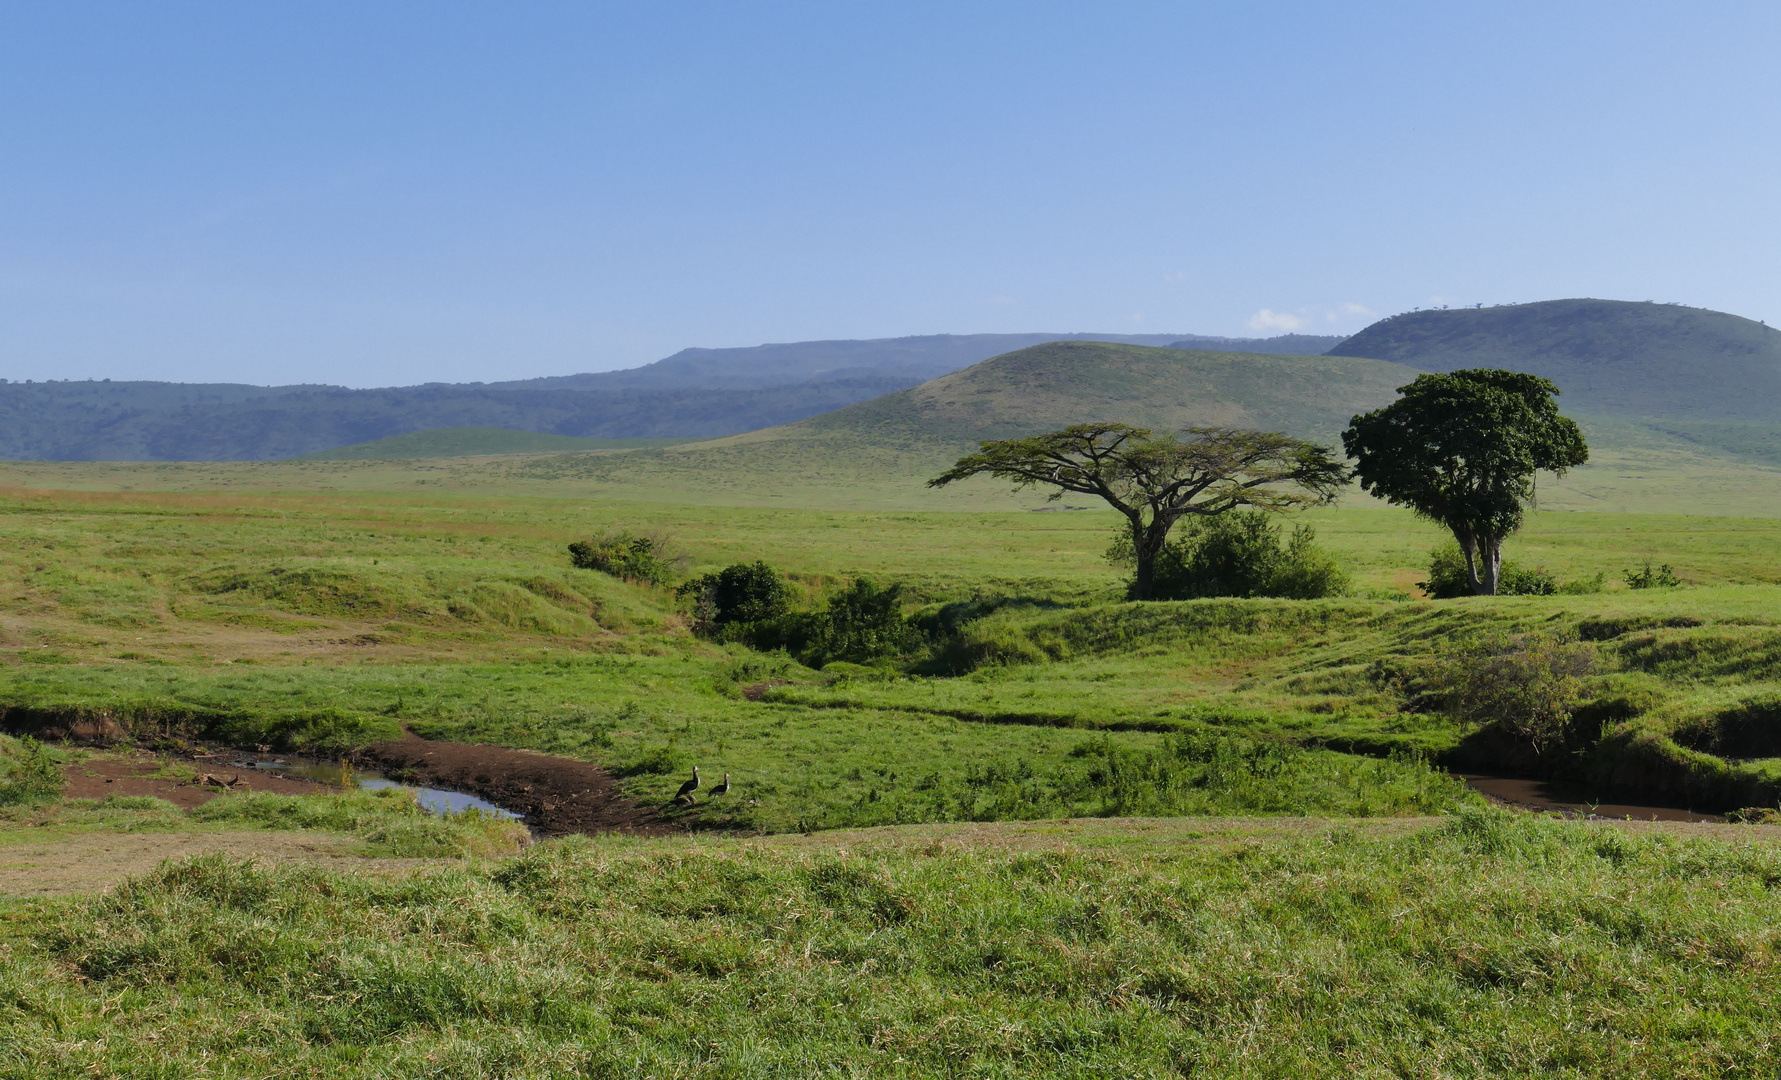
(393, 193)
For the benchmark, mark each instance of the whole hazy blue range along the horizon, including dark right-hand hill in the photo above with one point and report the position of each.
(1693, 375)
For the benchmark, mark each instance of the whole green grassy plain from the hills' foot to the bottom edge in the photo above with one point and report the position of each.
(1335, 929)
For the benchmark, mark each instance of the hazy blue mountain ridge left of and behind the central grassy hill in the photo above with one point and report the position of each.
(692, 395)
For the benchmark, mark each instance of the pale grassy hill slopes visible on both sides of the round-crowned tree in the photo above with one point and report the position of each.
(877, 454)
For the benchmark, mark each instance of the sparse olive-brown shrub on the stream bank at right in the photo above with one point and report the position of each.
(1524, 685)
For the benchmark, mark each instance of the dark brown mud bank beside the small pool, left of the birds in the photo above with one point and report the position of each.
(558, 796)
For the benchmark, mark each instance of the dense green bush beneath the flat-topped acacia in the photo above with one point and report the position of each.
(1240, 555)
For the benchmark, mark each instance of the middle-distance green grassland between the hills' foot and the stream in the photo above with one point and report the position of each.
(334, 621)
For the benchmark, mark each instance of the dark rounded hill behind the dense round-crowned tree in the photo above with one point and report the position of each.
(1609, 357)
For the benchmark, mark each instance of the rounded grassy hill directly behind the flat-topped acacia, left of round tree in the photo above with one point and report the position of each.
(882, 450)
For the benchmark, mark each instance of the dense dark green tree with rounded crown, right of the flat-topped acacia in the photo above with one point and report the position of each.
(1463, 450)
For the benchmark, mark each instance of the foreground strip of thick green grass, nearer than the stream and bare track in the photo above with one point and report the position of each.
(1490, 945)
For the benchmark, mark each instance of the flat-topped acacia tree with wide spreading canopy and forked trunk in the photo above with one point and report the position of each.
(1157, 480)
